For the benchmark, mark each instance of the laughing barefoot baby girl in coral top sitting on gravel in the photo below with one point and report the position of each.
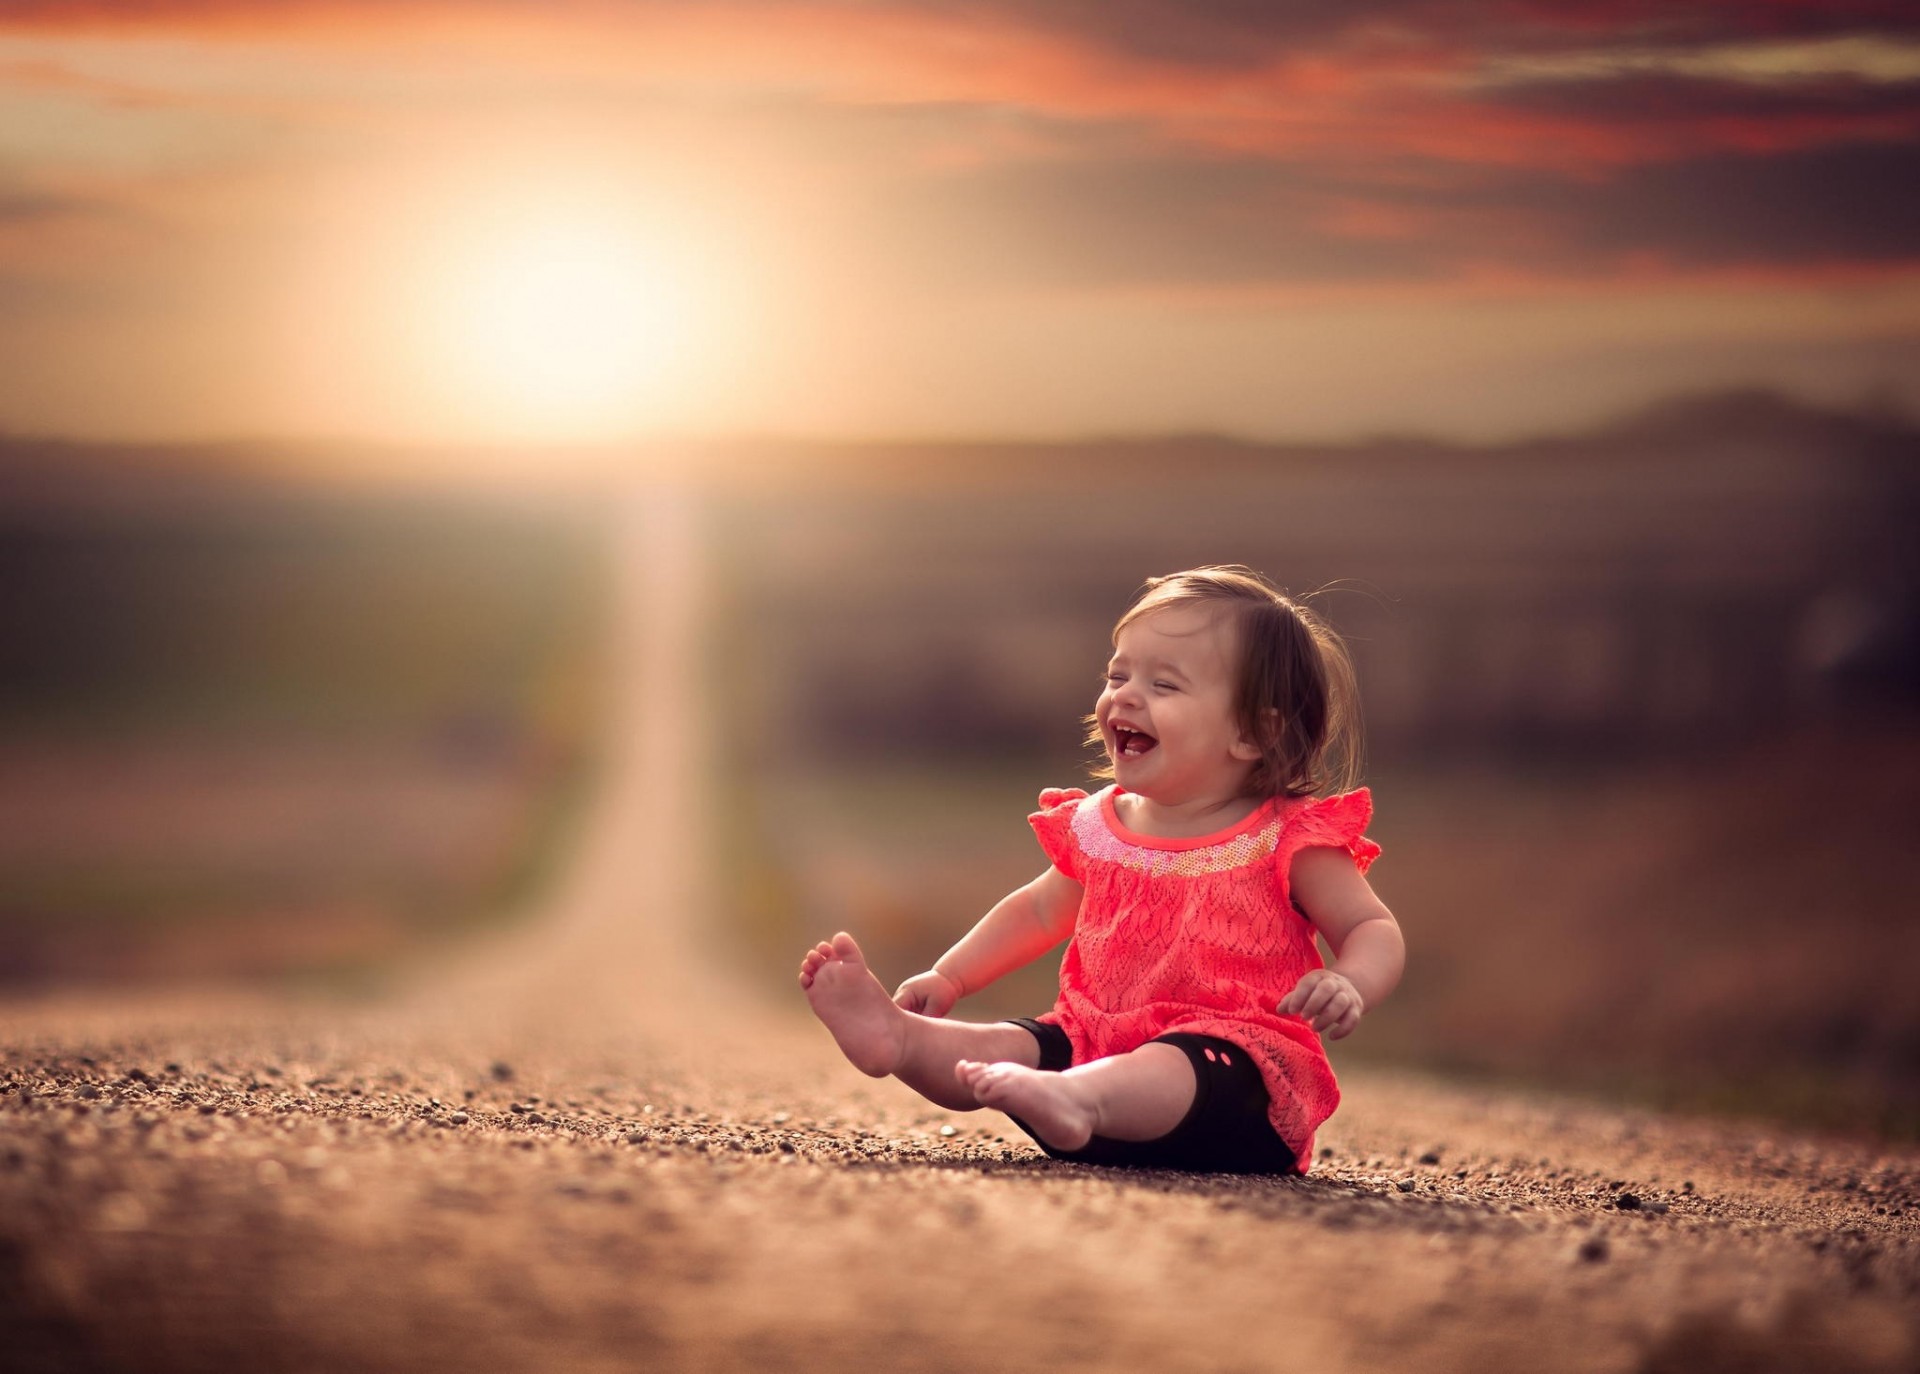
(1191, 995)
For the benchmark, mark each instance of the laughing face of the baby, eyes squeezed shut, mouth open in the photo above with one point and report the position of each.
(1166, 711)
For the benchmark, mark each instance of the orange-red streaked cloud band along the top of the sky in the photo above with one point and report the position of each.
(1341, 89)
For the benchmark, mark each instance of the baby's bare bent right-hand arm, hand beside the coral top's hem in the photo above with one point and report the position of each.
(1368, 953)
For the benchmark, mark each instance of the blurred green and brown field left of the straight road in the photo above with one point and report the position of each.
(260, 730)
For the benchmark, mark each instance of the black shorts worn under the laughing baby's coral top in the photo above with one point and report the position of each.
(1224, 1133)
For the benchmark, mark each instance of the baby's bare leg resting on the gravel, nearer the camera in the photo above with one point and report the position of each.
(1128, 1097)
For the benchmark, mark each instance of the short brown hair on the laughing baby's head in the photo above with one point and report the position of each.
(1295, 690)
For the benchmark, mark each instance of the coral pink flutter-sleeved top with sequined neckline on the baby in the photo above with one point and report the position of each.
(1199, 936)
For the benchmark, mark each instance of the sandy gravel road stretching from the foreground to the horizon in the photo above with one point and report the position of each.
(583, 1147)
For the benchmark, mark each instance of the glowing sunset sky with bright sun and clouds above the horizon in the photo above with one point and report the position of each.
(500, 220)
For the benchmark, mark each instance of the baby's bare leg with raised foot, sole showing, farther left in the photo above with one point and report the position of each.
(882, 1039)
